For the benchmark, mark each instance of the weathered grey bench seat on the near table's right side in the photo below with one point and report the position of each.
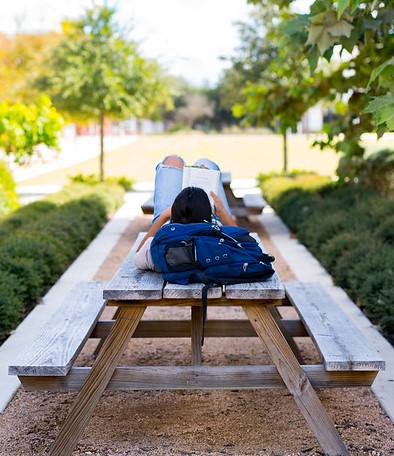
(341, 345)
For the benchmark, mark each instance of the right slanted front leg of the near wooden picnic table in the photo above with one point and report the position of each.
(296, 381)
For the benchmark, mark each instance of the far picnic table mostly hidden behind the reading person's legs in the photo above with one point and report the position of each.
(249, 204)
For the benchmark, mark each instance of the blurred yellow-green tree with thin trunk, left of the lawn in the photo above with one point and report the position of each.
(96, 72)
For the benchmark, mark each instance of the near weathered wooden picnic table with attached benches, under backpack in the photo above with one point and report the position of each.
(48, 363)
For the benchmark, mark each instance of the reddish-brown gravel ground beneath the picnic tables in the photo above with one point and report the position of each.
(237, 422)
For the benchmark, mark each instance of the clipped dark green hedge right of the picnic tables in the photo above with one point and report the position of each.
(350, 229)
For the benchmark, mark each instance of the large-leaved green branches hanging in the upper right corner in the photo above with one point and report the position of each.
(361, 85)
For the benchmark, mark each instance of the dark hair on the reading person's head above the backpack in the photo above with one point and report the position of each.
(191, 206)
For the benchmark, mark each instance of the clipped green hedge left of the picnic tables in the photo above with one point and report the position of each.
(39, 241)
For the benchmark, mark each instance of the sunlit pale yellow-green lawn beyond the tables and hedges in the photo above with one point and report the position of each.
(244, 155)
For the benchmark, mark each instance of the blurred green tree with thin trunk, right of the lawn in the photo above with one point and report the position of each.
(277, 89)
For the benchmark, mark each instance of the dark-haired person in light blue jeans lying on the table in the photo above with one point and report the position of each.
(174, 205)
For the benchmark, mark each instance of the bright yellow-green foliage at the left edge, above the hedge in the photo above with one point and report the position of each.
(24, 127)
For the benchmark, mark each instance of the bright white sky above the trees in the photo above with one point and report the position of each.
(186, 36)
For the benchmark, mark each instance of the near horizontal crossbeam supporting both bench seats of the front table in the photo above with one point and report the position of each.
(194, 377)
